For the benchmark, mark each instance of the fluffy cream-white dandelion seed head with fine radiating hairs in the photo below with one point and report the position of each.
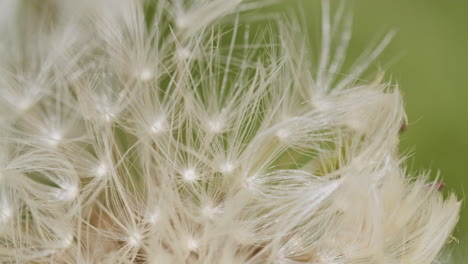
(171, 131)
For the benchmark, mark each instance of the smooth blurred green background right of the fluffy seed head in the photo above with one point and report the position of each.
(428, 58)
